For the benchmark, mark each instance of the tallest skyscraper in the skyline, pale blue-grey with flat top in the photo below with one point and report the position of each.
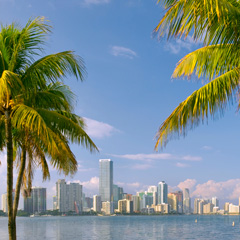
(106, 180)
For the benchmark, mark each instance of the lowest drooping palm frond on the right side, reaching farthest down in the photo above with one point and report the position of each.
(208, 100)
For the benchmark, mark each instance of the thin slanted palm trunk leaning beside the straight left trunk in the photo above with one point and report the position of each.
(19, 181)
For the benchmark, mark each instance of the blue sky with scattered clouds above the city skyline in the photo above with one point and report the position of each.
(127, 94)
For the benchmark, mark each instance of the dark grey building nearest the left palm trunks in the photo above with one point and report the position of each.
(37, 202)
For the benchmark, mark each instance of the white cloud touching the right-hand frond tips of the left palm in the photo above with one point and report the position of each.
(98, 129)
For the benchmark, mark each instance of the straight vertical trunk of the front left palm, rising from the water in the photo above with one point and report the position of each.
(11, 220)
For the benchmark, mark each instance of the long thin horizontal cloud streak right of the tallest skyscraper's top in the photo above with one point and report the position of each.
(158, 156)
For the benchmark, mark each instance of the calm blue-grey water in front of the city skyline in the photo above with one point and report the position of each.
(125, 227)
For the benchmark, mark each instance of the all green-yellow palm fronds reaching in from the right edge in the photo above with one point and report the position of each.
(216, 24)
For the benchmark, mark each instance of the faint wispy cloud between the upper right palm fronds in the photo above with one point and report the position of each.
(177, 45)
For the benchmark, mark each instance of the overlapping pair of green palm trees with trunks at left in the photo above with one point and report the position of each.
(37, 122)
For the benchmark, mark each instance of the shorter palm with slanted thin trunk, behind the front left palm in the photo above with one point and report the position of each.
(52, 106)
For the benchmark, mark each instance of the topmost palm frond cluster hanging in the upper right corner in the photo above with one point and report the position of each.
(213, 21)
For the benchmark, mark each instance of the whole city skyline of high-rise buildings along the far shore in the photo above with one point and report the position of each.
(69, 197)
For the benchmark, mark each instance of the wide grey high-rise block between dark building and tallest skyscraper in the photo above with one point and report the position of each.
(68, 197)
